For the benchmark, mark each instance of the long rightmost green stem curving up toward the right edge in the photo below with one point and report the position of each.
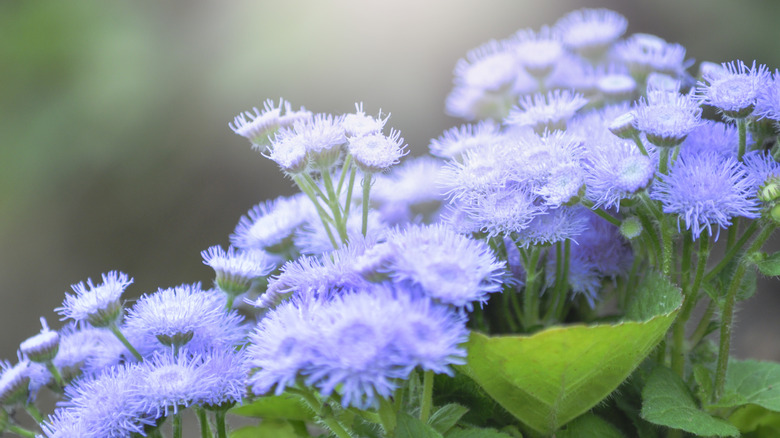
(727, 317)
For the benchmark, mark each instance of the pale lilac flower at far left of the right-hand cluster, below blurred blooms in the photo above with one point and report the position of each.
(454, 142)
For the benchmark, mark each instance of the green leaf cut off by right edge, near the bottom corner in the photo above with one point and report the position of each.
(751, 382)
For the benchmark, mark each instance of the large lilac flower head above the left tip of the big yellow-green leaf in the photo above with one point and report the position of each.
(448, 267)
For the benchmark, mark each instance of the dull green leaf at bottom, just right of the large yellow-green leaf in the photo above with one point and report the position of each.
(667, 402)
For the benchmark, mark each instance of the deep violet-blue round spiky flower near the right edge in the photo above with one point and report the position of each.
(704, 191)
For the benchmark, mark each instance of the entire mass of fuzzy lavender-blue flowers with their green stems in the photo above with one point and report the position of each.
(587, 165)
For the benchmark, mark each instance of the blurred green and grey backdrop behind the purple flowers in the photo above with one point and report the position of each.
(115, 151)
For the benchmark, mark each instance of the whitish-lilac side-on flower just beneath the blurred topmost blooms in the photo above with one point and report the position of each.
(546, 112)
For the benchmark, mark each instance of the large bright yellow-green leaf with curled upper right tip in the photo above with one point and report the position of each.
(550, 378)
